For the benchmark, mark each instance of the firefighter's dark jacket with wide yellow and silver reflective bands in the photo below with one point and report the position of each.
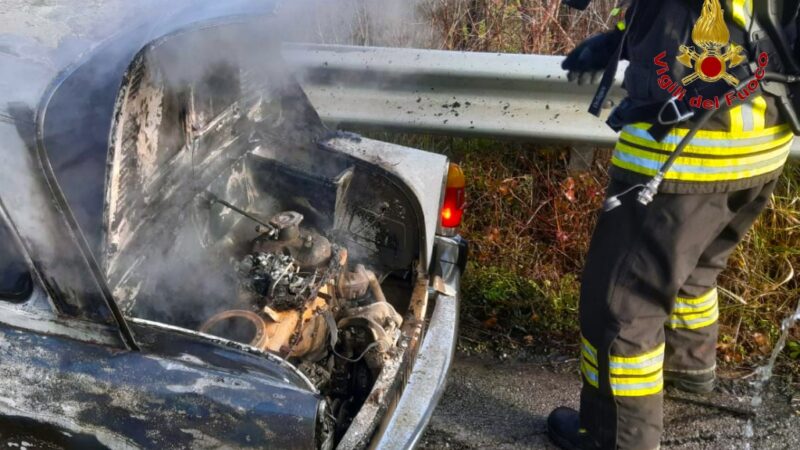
(743, 146)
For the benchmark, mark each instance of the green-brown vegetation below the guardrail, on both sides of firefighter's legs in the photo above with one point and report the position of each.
(529, 221)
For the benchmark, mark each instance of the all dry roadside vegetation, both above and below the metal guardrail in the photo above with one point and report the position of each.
(529, 220)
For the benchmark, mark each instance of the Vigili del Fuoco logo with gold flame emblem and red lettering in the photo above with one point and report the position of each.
(711, 58)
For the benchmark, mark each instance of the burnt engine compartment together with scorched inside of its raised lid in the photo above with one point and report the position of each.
(231, 210)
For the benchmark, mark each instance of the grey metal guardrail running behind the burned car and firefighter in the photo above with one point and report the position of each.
(493, 95)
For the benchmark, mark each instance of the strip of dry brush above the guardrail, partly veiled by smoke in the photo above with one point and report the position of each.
(518, 26)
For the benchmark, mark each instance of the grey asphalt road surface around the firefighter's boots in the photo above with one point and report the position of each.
(490, 404)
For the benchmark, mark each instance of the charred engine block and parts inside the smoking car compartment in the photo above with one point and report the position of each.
(301, 299)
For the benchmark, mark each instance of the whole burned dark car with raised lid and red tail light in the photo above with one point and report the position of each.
(191, 259)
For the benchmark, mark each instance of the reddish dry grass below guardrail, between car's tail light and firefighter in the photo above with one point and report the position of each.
(529, 223)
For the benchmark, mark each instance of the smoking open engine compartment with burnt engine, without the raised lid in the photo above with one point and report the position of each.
(327, 289)
